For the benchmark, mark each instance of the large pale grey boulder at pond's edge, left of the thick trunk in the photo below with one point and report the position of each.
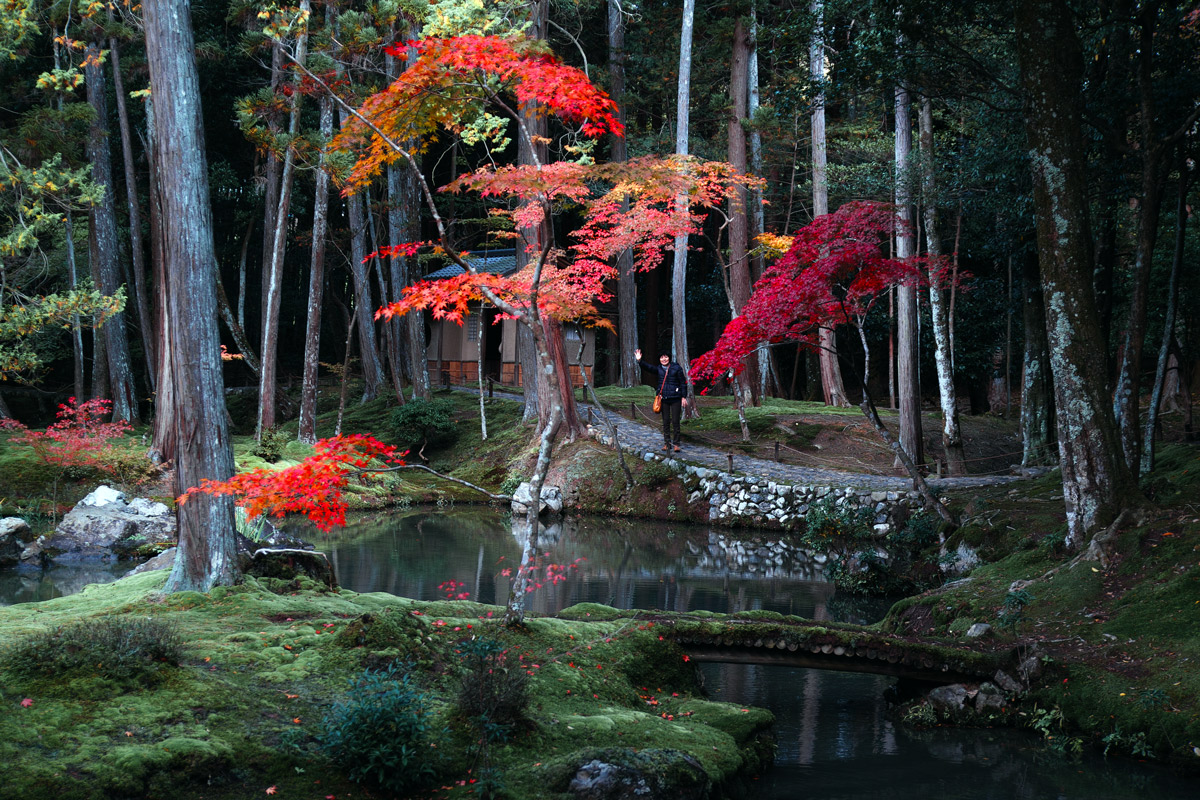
(104, 527)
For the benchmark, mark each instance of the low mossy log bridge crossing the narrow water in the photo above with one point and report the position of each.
(796, 642)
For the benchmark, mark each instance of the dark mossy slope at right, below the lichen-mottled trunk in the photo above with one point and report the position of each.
(1121, 642)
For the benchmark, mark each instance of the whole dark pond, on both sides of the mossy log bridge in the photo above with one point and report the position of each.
(835, 739)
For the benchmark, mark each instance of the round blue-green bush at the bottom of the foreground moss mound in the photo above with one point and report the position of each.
(385, 732)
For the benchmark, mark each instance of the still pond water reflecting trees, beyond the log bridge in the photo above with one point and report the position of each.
(628, 564)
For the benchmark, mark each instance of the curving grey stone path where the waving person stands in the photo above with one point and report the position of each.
(646, 443)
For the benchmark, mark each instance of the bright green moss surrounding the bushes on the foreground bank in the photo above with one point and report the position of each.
(266, 664)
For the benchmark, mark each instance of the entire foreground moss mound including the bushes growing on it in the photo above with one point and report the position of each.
(269, 682)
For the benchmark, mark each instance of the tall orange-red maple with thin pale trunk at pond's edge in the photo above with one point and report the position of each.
(641, 206)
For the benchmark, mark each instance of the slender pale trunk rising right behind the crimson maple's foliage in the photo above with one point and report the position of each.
(908, 369)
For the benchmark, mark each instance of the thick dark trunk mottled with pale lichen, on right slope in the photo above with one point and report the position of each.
(1097, 483)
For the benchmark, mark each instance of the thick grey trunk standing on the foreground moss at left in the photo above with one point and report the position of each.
(207, 555)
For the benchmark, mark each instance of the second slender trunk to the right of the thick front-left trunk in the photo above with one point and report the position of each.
(308, 426)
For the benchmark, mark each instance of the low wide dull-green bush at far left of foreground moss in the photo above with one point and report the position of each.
(127, 652)
